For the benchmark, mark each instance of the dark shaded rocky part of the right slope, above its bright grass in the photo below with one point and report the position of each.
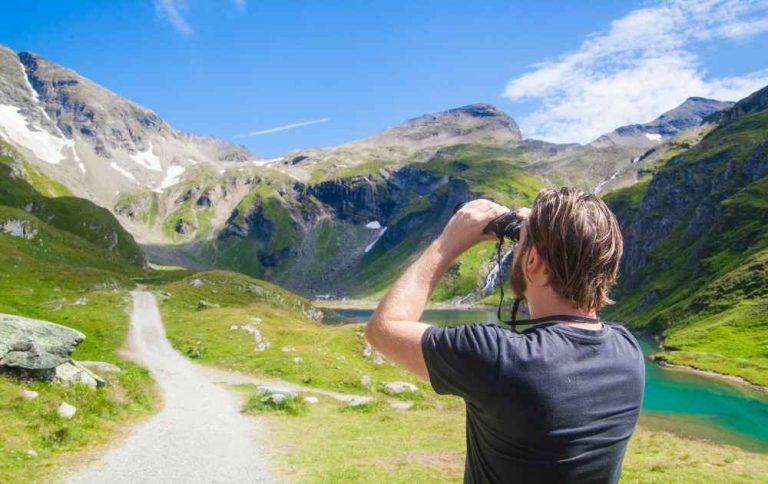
(697, 218)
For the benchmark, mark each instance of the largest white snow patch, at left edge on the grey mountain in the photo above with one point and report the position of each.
(44, 145)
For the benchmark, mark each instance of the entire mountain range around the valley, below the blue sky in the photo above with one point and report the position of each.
(689, 188)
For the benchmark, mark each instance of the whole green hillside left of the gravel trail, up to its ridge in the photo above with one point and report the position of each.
(66, 272)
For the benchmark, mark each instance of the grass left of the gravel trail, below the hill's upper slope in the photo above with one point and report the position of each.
(61, 278)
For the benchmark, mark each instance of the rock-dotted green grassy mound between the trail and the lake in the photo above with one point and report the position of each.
(330, 356)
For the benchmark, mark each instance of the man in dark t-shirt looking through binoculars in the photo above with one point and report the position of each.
(557, 402)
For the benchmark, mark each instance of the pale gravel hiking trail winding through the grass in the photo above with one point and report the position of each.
(200, 436)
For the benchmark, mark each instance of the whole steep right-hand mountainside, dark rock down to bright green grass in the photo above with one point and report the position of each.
(696, 265)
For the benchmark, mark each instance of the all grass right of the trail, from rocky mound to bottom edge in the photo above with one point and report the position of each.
(330, 442)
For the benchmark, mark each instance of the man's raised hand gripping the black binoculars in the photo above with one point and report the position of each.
(465, 228)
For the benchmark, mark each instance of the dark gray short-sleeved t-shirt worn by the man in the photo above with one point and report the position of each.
(554, 403)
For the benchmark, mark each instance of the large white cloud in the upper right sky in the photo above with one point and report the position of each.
(645, 64)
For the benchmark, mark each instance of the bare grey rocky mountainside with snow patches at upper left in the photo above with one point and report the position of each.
(91, 139)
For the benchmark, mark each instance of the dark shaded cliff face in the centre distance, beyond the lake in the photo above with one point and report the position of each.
(318, 238)
